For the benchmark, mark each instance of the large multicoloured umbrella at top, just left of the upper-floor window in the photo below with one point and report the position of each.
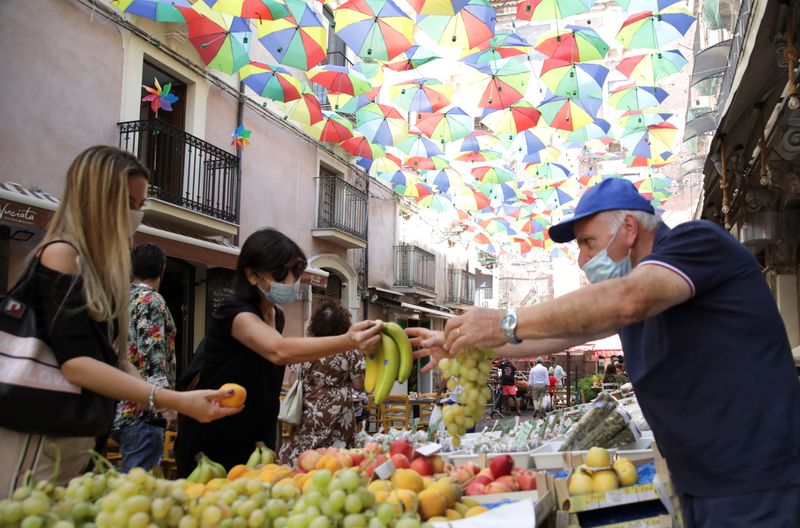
(298, 40)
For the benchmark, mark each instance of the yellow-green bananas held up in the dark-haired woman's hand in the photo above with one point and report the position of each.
(391, 361)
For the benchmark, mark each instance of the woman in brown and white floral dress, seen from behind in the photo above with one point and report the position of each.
(328, 415)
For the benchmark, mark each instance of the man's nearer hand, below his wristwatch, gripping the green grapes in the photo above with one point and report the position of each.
(478, 327)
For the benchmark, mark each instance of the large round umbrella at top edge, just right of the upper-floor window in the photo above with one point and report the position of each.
(374, 29)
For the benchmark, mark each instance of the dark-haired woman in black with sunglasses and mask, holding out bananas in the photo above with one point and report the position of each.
(244, 345)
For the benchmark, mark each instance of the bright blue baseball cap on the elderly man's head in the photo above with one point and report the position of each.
(608, 195)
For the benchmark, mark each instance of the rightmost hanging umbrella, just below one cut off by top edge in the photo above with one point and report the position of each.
(654, 29)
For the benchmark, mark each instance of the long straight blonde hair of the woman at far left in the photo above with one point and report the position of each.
(93, 216)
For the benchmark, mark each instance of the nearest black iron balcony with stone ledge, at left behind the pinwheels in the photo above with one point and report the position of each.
(193, 184)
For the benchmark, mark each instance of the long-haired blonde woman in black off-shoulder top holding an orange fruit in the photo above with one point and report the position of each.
(79, 293)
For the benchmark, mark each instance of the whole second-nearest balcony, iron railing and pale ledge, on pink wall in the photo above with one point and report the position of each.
(342, 215)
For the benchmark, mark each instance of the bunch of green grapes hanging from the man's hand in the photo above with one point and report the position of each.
(470, 370)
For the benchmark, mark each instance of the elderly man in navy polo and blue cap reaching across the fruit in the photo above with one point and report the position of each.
(693, 311)
